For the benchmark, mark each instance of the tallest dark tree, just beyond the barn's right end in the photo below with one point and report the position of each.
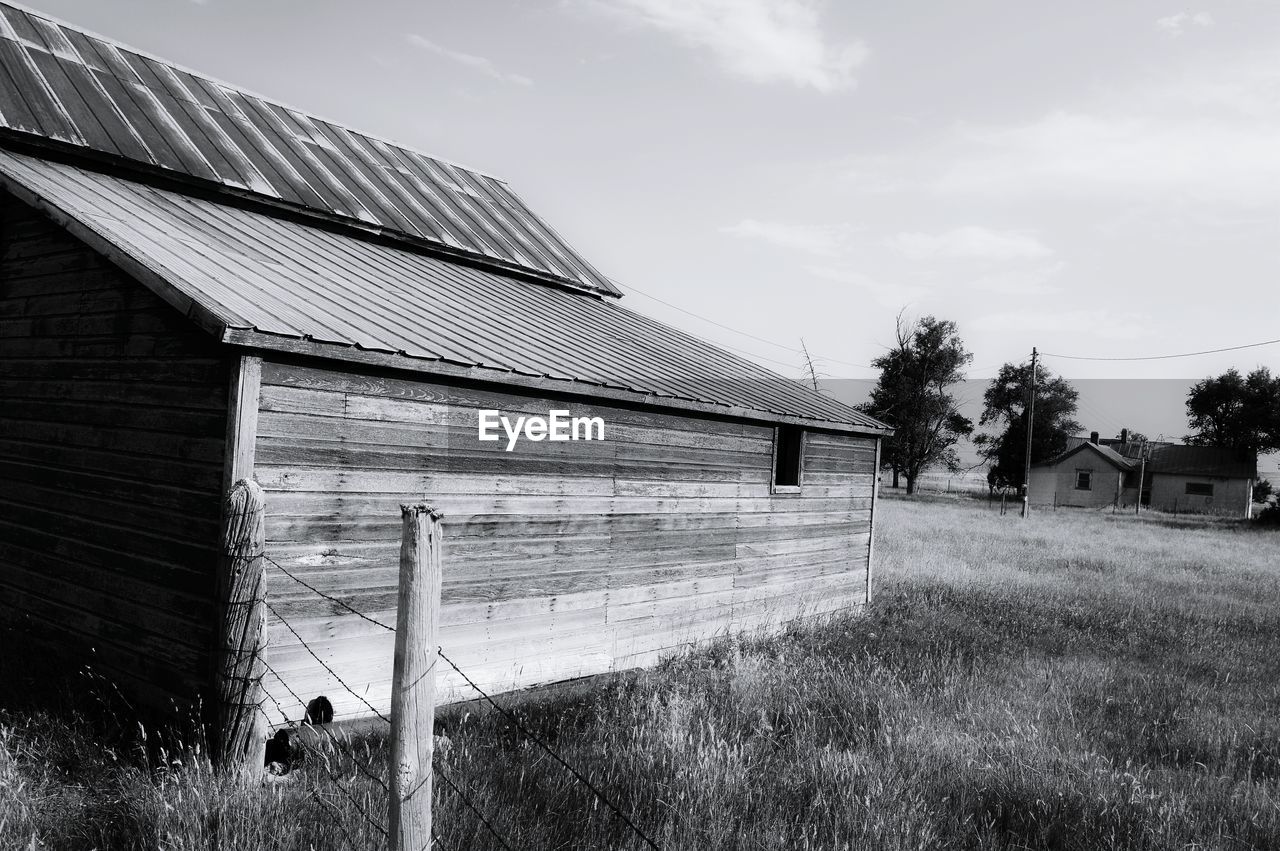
(912, 395)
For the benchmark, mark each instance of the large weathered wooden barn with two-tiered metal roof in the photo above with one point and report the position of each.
(200, 286)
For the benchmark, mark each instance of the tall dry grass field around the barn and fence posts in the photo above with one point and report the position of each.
(1075, 681)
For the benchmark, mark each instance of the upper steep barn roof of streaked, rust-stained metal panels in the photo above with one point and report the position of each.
(61, 84)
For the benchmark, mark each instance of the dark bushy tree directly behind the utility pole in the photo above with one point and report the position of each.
(1005, 409)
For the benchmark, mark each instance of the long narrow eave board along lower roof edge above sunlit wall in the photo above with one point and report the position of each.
(267, 342)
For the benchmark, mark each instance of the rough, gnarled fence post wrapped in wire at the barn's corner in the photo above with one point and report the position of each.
(241, 630)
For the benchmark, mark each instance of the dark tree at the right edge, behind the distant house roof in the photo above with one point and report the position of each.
(1236, 411)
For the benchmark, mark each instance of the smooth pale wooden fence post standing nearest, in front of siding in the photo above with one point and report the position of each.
(418, 611)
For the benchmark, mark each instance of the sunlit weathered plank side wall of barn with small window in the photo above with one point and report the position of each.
(560, 559)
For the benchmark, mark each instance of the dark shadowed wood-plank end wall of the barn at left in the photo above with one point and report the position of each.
(113, 410)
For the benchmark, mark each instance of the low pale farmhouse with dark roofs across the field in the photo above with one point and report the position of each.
(1095, 473)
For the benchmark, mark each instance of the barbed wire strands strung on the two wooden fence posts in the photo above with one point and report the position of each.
(359, 784)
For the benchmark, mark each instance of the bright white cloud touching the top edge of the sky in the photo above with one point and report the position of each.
(764, 42)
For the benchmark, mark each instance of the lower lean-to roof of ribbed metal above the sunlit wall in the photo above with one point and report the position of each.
(250, 273)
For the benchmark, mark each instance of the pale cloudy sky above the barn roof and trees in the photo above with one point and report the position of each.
(1095, 180)
